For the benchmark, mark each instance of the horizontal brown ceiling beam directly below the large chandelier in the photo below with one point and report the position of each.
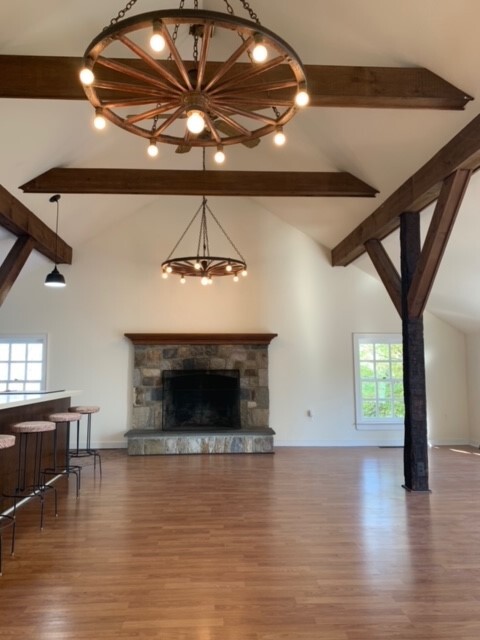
(212, 183)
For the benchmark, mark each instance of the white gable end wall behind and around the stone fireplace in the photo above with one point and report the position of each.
(115, 287)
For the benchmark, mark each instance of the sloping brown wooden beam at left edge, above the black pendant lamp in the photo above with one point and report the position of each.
(16, 218)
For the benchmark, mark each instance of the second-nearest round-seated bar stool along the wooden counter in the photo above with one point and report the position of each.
(30, 480)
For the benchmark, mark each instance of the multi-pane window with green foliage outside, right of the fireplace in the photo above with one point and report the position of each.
(379, 401)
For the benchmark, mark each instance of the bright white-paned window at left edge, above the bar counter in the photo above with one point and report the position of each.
(22, 363)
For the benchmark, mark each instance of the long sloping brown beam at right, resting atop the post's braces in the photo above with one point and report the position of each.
(423, 188)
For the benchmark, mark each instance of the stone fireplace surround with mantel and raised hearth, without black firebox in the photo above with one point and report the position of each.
(156, 353)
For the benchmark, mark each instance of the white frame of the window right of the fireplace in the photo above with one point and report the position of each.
(364, 422)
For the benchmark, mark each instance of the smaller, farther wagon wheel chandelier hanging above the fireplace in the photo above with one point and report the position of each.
(203, 265)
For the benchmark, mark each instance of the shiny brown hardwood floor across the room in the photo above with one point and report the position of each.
(307, 544)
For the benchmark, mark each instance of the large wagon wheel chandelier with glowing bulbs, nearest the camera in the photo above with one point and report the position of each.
(170, 90)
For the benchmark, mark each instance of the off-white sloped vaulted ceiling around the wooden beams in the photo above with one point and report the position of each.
(381, 147)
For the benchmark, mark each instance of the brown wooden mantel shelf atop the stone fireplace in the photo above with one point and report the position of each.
(200, 338)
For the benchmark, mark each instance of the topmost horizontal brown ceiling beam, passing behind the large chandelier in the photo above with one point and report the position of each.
(56, 78)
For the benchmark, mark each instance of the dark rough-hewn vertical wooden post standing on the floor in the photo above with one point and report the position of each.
(416, 445)
